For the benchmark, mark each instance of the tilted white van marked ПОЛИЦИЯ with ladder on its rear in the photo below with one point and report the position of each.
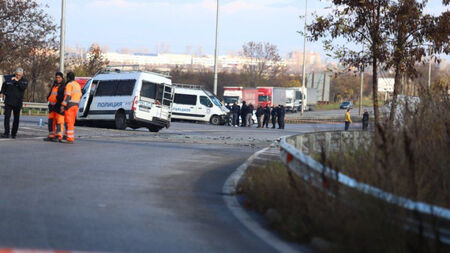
(127, 99)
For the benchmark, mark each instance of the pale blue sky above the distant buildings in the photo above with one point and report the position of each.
(189, 23)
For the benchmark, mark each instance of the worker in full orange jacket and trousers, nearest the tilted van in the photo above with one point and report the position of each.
(72, 97)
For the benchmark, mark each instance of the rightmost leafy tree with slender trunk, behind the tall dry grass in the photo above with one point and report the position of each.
(408, 33)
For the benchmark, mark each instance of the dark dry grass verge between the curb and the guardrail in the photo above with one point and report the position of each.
(300, 212)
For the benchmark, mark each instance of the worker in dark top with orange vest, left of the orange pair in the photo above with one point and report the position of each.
(56, 116)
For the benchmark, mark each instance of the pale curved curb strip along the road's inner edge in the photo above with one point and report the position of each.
(229, 196)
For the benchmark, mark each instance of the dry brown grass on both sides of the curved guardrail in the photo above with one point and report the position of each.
(409, 160)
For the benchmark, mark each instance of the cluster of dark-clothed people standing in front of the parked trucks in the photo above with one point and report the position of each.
(263, 115)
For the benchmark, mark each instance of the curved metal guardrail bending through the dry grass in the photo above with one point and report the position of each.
(295, 154)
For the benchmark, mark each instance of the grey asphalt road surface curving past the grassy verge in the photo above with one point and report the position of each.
(128, 191)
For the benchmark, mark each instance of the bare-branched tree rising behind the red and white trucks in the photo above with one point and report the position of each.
(264, 60)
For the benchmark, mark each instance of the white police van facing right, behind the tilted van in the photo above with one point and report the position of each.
(194, 103)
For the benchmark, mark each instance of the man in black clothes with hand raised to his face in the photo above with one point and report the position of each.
(13, 90)
